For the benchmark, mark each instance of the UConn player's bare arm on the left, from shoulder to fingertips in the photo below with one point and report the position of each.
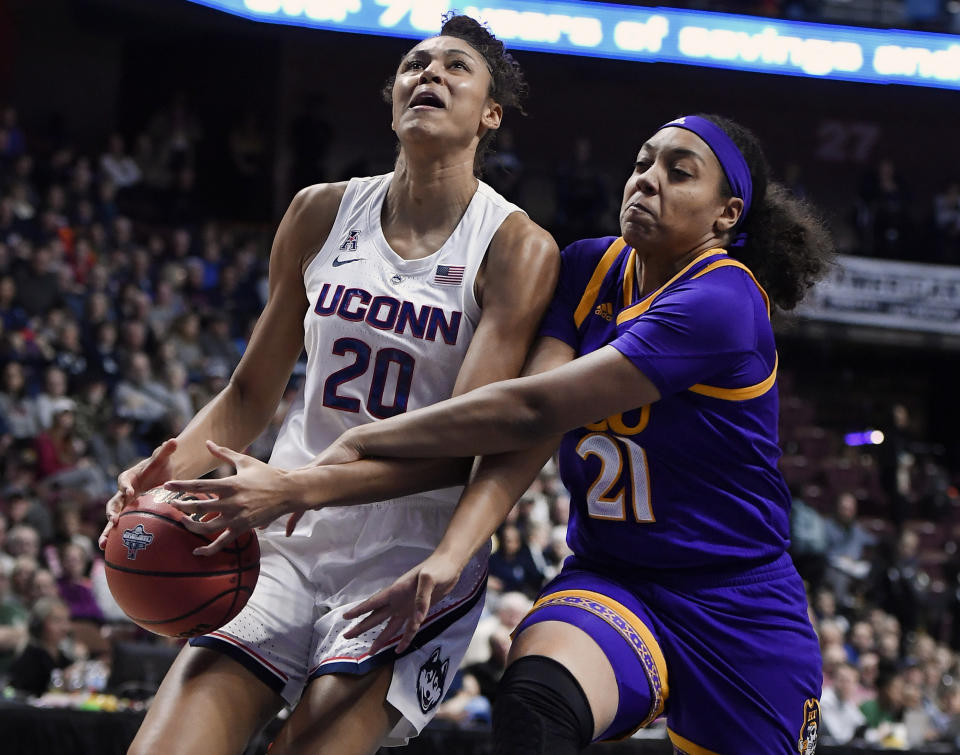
(240, 412)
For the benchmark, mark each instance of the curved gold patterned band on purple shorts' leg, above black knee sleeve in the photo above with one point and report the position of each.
(632, 629)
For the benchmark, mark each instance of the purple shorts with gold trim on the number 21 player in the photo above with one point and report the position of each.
(729, 657)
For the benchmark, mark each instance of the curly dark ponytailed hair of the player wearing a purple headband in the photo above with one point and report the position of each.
(787, 246)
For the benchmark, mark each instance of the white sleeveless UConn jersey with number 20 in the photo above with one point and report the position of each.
(384, 335)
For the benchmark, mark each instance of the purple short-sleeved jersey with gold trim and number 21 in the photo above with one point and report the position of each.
(690, 481)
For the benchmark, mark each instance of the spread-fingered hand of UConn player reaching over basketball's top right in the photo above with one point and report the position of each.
(253, 497)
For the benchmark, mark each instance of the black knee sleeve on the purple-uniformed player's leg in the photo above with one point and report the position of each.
(540, 710)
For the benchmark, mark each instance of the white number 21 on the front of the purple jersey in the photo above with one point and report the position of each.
(615, 454)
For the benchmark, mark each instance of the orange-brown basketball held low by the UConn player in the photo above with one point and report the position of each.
(161, 585)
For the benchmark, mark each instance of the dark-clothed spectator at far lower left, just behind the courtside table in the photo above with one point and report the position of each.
(31, 672)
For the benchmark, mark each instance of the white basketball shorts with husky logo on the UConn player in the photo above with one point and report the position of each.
(291, 630)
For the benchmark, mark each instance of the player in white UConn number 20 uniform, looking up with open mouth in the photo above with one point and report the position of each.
(404, 289)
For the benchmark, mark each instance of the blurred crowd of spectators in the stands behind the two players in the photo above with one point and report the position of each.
(125, 306)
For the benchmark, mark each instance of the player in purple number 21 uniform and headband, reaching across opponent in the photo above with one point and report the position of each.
(657, 362)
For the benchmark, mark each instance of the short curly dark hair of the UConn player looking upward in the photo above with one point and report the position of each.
(508, 85)
